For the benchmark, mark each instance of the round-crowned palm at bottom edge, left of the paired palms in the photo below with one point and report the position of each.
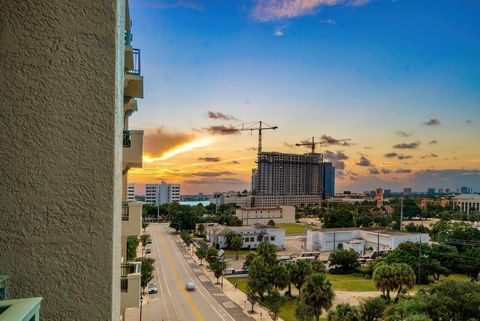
(317, 294)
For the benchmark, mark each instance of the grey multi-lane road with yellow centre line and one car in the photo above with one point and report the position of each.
(173, 268)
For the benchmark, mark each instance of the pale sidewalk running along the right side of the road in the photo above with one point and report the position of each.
(237, 296)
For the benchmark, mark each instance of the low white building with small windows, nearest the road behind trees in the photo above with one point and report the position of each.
(252, 235)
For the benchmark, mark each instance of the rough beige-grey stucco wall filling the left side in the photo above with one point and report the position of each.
(61, 116)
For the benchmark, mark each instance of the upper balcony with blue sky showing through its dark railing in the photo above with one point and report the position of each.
(133, 86)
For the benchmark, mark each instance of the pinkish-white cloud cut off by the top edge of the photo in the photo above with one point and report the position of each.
(269, 10)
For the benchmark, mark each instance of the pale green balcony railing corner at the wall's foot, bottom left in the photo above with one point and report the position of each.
(20, 309)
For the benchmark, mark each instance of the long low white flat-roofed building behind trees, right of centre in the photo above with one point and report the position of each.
(359, 239)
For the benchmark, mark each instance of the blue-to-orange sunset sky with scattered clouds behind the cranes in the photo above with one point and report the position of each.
(399, 78)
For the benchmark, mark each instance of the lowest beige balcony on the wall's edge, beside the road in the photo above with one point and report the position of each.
(130, 285)
